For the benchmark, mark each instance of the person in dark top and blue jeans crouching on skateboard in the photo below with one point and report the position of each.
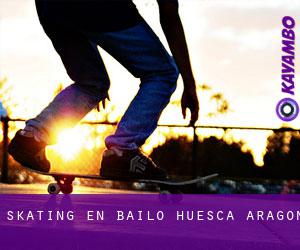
(75, 29)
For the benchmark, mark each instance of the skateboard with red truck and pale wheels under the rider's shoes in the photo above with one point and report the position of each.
(64, 182)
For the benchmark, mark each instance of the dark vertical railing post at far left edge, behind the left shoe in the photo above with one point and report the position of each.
(4, 170)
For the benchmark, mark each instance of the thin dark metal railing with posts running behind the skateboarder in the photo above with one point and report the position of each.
(197, 172)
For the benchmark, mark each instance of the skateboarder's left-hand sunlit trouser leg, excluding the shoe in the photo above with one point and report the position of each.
(86, 68)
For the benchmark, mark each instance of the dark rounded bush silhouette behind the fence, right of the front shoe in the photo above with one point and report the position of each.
(212, 156)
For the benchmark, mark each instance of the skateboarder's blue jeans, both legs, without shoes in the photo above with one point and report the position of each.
(140, 51)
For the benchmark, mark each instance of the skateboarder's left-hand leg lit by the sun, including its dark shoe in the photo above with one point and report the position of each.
(84, 65)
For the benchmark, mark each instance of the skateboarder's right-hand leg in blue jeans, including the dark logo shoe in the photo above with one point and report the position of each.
(140, 51)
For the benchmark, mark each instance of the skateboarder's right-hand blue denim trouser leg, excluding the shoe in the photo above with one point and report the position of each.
(141, 52)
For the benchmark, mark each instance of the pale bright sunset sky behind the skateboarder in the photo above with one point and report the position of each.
(235, 47)
